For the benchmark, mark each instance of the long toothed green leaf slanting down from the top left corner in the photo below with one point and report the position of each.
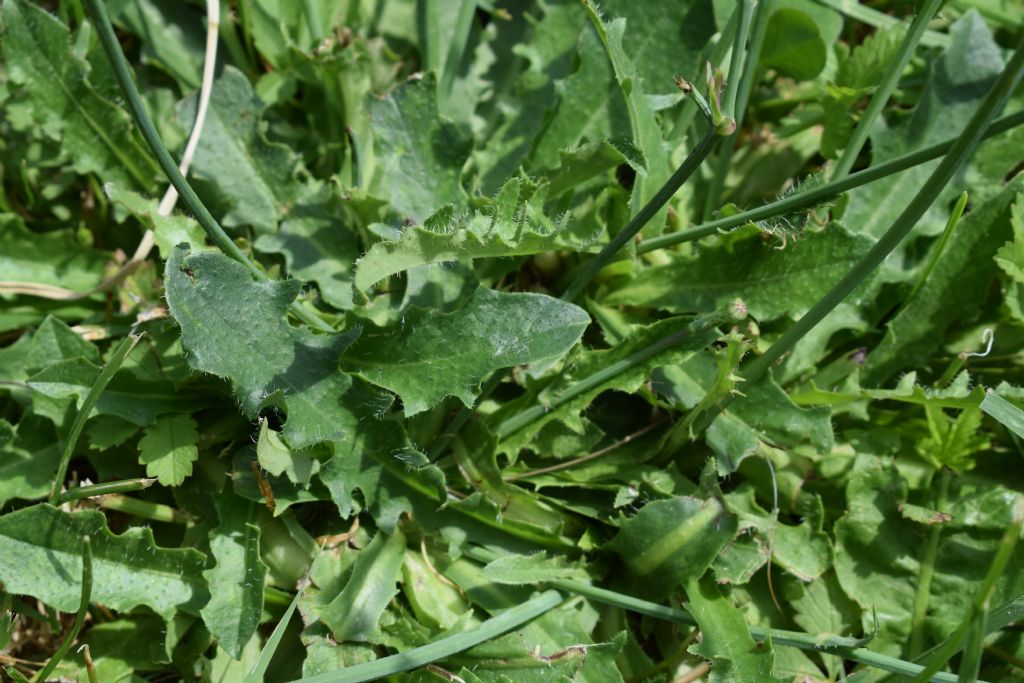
(96, 135)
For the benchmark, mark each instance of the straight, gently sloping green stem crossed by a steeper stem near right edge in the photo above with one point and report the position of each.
(813, 197)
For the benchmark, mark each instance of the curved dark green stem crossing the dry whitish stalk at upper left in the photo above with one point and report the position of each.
(112, 48)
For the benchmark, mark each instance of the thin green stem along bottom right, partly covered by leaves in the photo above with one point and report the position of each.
(840, 647)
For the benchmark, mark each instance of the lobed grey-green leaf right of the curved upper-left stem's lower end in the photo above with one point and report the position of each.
(317, 248)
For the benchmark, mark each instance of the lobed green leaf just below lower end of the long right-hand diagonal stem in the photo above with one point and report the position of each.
(765, 415)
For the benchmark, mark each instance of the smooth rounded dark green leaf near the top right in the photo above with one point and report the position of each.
(793, 46)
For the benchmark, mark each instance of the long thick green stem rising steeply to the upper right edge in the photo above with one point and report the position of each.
(958, 155)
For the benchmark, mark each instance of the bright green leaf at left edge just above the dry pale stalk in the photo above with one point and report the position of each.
(48, 259)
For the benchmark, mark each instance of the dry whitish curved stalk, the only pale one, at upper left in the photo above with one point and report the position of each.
(170, 197)
